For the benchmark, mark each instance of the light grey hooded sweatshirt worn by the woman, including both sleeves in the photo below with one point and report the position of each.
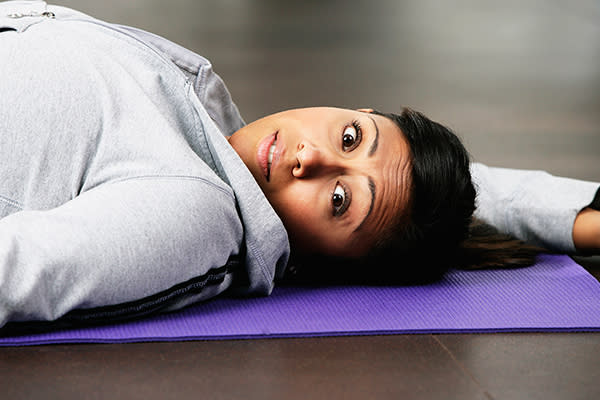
(120, 195)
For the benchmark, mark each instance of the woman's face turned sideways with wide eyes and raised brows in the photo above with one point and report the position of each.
(337, 178)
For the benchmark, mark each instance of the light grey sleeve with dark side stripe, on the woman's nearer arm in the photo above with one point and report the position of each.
(160, 239)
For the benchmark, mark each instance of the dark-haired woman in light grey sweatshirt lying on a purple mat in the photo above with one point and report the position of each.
(130, 184)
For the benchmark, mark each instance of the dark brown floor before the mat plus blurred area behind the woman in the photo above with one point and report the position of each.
(518, 80)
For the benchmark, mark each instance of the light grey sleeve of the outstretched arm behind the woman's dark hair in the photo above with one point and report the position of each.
(531, 205)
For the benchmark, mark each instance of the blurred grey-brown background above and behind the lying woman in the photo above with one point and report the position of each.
(519, 81)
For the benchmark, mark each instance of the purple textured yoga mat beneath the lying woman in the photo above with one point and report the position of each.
(555, 295)
